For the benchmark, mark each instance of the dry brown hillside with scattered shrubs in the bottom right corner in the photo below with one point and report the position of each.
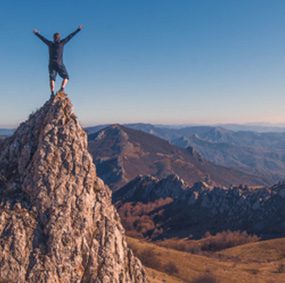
(190, 268)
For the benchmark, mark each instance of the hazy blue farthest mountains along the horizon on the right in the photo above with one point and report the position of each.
(252, 152)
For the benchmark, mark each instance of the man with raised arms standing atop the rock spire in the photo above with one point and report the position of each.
(56, 65)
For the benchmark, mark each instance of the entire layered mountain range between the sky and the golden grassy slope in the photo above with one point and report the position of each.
(165, 190)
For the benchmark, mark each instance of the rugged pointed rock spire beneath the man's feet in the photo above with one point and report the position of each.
(57, 223)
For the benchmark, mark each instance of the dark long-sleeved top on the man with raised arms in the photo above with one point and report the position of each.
(56, 47)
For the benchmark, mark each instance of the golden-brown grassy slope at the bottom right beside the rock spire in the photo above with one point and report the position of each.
(233, 266)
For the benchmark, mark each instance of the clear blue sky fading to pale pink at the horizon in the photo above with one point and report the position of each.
(151, 61)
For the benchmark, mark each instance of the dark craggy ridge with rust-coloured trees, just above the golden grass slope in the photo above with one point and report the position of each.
(158, 208)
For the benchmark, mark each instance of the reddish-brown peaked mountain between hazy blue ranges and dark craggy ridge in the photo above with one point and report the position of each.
(121, 154)
